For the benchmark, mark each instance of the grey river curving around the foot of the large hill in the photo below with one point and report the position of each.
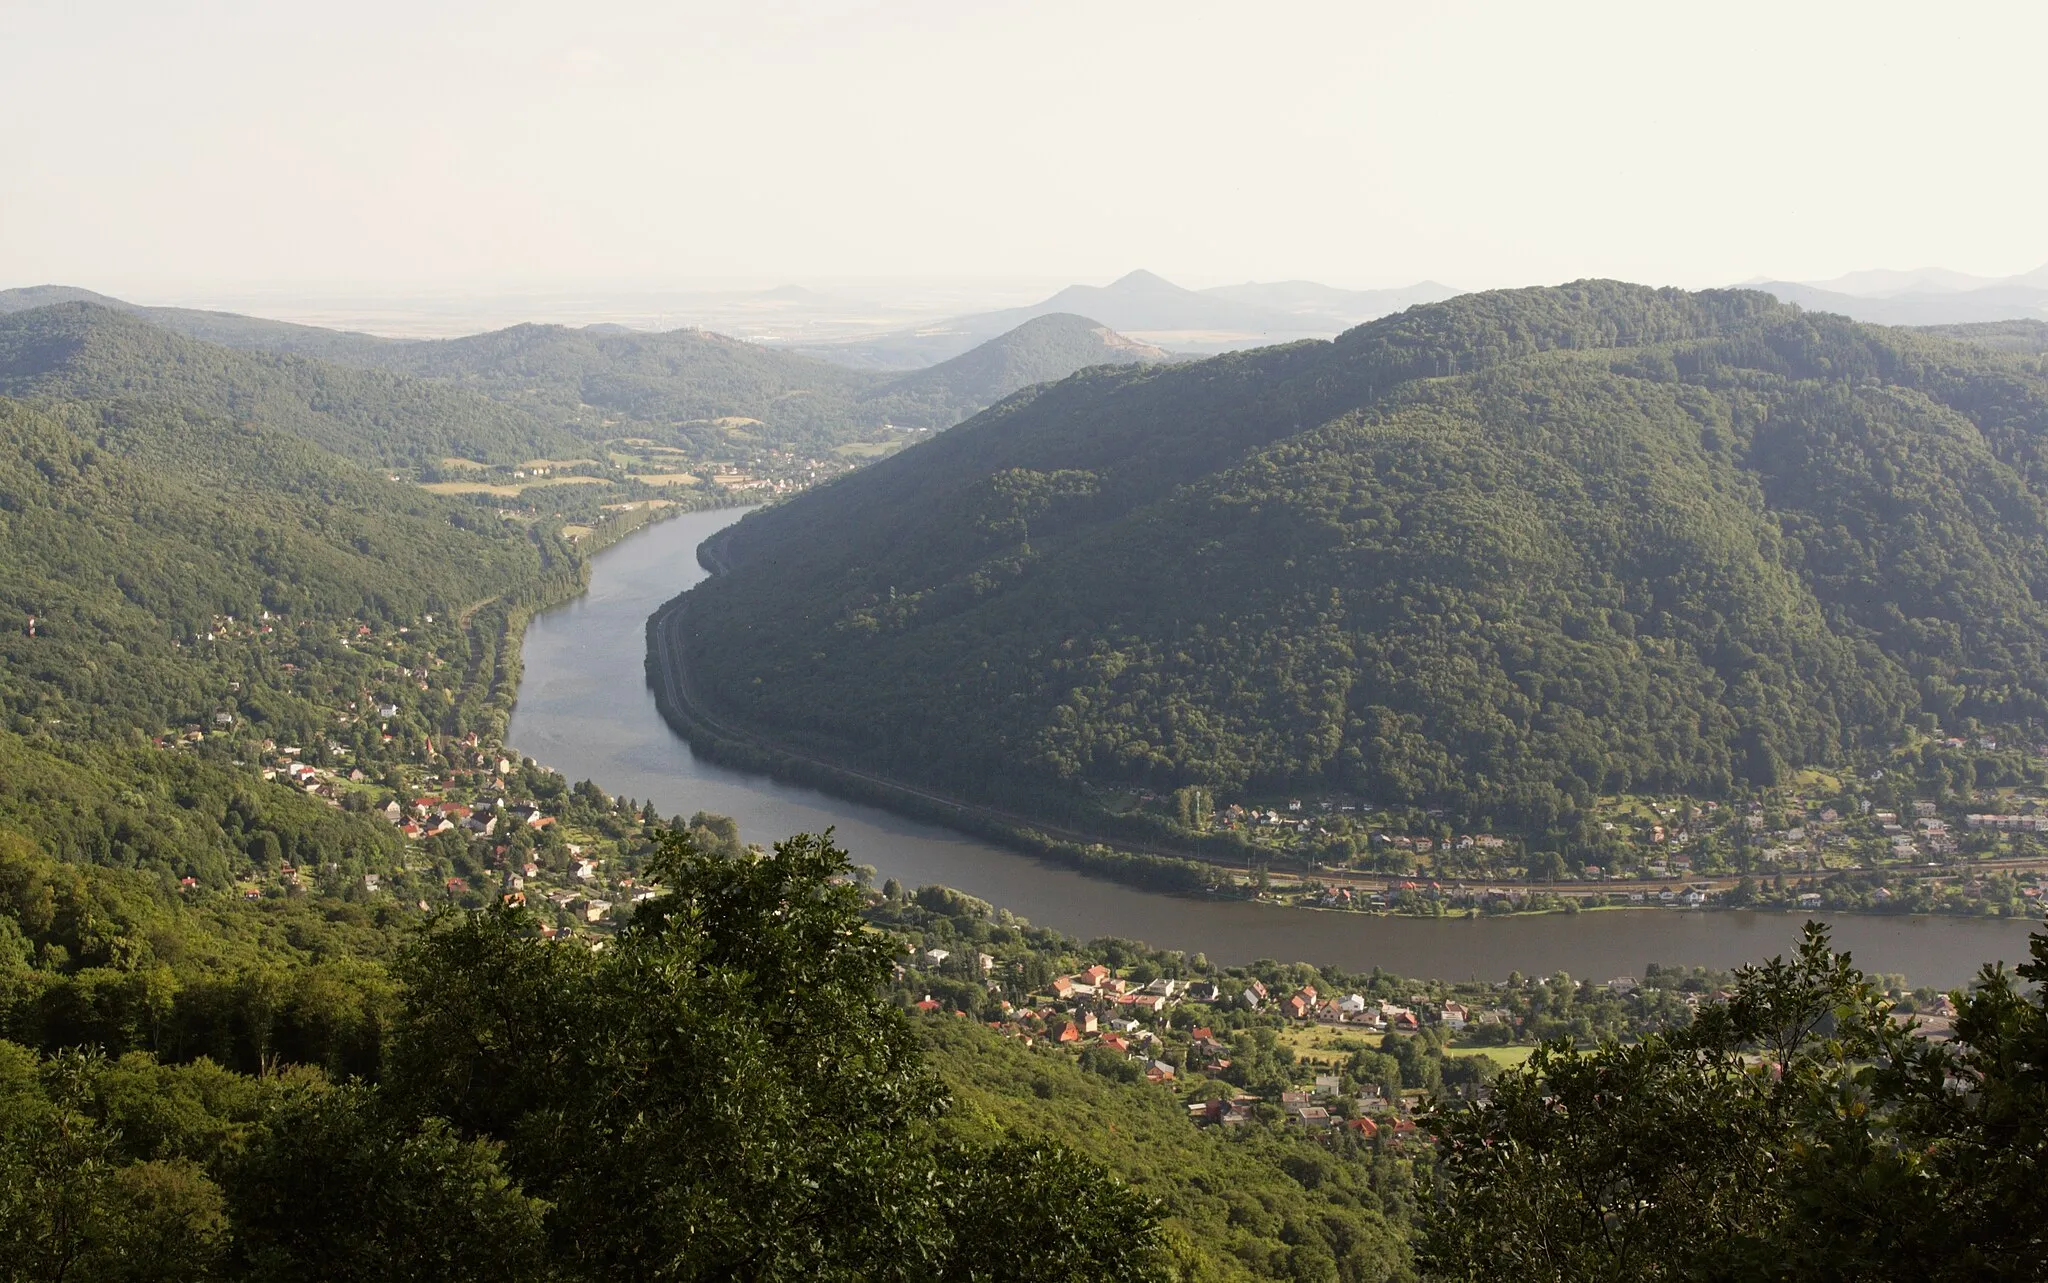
(587, 712)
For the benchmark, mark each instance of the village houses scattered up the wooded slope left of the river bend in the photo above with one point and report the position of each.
(476, 823)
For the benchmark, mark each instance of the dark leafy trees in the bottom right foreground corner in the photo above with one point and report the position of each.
(1795, 1132)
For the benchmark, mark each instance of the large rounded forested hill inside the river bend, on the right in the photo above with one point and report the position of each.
(1500, 552)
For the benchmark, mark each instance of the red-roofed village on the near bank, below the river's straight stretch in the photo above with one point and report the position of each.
(1277, 1044)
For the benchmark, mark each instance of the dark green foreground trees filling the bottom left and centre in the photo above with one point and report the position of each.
(724, 1093)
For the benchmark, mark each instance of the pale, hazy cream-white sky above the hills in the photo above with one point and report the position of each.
(161, 147)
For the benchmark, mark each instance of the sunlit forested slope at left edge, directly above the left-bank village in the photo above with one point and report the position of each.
(136, 530)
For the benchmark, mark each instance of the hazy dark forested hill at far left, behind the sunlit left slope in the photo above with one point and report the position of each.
(85, 351)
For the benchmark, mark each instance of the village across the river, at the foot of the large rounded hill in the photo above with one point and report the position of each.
(1936, 825)
